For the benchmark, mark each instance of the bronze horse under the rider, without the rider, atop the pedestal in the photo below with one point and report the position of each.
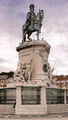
(36, 27)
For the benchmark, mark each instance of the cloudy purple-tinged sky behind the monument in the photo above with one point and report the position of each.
(54, 31)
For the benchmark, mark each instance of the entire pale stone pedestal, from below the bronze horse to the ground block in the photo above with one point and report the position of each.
(32, 71)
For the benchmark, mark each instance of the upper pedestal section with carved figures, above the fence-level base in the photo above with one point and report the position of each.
(33, 56)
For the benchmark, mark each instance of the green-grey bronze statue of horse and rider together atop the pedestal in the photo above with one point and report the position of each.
(33, 23)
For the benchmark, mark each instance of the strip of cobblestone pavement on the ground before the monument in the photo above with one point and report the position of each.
(63, 116)
